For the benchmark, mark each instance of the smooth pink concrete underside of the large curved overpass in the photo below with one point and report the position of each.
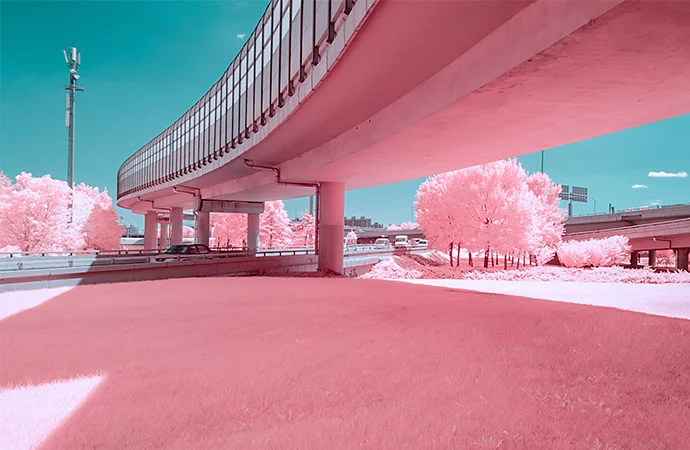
(396, 108)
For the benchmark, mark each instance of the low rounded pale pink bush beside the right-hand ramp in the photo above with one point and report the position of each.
(594, 252)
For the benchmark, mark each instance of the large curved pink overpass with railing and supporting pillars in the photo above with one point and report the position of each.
(344, 94)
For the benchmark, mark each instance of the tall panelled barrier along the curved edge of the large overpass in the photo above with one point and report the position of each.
(286, 44)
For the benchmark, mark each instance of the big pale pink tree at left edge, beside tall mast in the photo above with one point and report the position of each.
(34, 214)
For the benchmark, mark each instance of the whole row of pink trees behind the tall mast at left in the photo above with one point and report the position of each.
(35, 215)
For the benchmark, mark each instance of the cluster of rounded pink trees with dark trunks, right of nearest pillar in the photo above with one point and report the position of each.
(494, 208)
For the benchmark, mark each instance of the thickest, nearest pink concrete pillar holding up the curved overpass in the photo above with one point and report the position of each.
(331, 227)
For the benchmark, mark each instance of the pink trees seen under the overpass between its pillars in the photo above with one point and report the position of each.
(275, 228)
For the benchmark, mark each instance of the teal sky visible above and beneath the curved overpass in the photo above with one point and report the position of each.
(145, 62)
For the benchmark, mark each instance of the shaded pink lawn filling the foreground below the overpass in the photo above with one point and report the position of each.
(341, 363)
